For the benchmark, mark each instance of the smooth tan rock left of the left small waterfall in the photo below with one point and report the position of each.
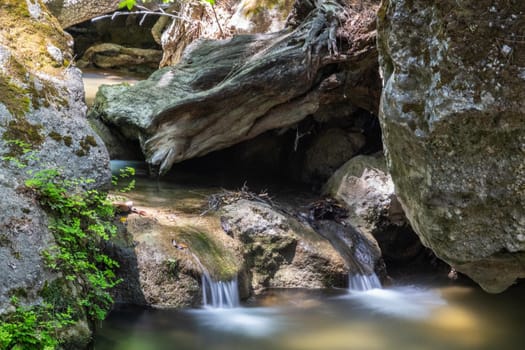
(162, 259)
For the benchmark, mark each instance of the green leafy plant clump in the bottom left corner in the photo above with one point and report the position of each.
(32, 328)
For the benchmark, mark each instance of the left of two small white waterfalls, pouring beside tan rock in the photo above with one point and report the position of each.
(219, 294)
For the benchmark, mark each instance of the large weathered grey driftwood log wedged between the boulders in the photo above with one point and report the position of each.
(224, 92)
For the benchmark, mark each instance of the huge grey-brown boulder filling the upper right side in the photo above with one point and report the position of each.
(453, 117)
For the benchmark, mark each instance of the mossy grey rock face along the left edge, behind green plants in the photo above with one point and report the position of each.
(42, 126)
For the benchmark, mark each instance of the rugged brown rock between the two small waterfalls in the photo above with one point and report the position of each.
(279, 250)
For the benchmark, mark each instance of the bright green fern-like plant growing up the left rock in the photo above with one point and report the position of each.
(80, 221)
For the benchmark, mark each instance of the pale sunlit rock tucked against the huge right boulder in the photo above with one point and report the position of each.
(367, 190)
